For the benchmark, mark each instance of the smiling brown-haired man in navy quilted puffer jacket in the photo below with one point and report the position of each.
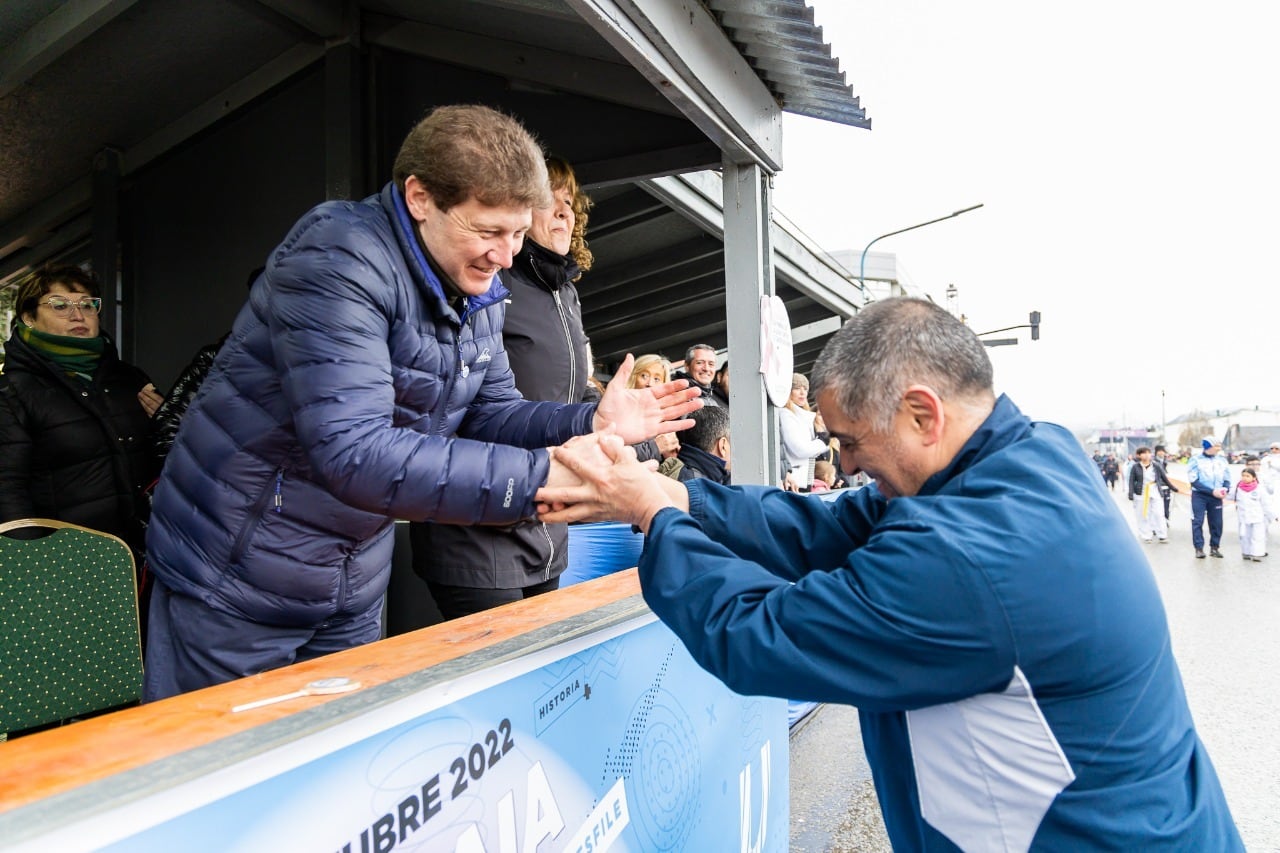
(365, 381)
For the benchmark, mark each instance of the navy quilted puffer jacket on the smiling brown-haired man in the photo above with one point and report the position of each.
(349, 394)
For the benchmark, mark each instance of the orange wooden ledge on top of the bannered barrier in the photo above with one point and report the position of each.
(58, 761)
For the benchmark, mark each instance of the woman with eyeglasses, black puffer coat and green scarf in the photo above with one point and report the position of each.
(75, 421)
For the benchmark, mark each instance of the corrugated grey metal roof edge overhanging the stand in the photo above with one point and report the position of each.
(785, 48)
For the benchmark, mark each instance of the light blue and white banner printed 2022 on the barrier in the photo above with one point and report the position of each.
(625, 745)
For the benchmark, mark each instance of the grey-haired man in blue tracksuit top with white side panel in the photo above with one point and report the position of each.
(984, 605)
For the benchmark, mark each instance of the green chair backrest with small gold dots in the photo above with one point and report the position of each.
(70, 641)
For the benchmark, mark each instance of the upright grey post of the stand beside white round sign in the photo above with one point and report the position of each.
(748, 279)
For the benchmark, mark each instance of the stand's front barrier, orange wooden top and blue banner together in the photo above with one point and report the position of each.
(570, 722)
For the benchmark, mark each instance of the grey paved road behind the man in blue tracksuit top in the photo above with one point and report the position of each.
(1224, 618)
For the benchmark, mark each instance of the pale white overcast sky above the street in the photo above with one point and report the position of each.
(1126, 156)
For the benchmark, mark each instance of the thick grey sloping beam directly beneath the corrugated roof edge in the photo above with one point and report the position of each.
(685, 54)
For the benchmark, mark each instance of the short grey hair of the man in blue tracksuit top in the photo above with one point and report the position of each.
(892, 345)
